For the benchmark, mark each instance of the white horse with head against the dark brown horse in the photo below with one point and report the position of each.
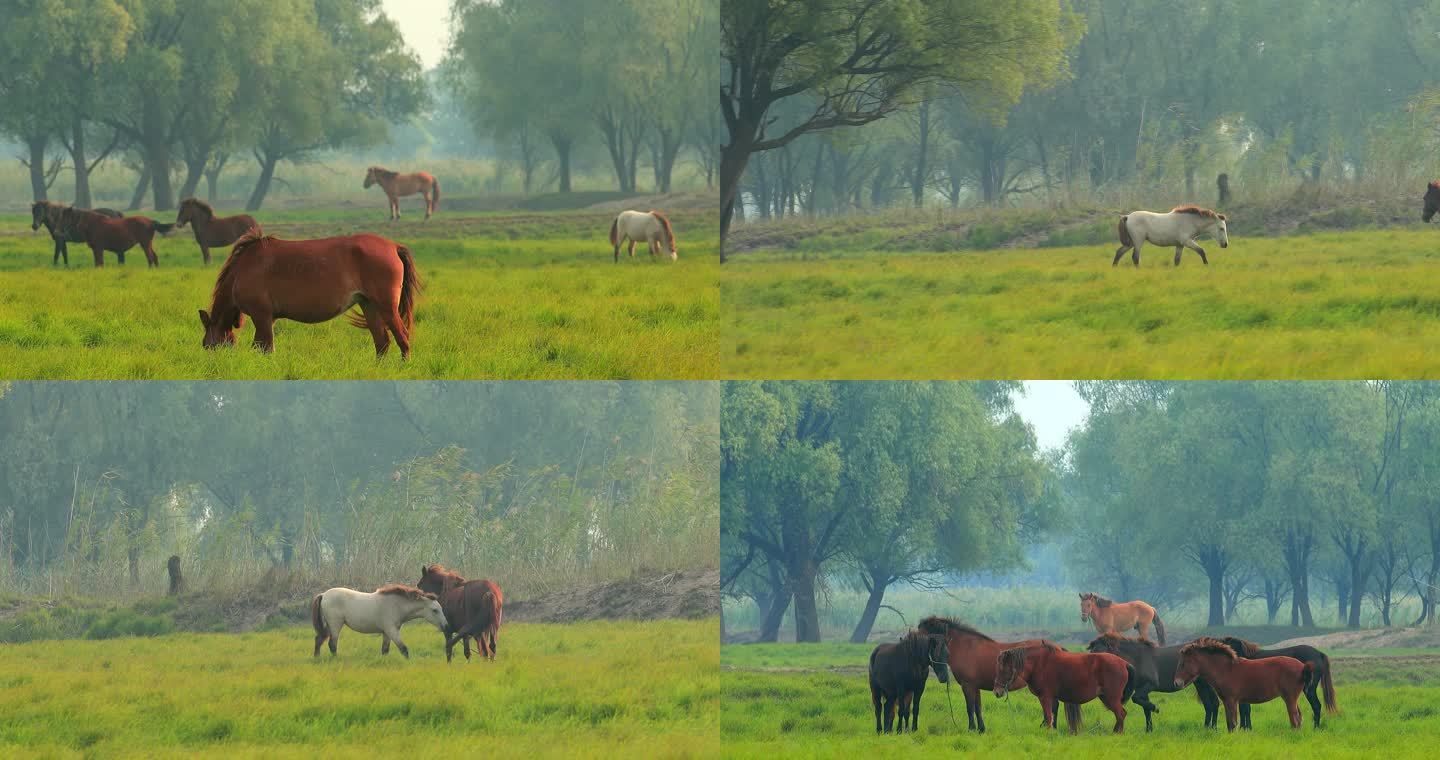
(382, 612)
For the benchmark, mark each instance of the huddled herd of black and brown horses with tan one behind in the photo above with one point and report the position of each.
(1114, 669)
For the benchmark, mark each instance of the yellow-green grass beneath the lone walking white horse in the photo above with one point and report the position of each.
(1333, 306)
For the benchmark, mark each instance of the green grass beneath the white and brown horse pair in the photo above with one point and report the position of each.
(603, 689)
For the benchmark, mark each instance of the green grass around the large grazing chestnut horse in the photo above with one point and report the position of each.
(508, 296)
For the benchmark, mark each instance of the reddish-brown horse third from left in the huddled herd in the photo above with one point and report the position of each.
(1075, 679)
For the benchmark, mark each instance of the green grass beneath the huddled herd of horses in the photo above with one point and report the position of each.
(814, 702)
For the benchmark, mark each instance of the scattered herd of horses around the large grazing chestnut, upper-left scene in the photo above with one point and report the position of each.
(307, 281)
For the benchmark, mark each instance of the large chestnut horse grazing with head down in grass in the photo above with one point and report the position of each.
(315, 281)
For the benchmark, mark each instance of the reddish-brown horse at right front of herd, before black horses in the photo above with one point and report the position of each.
(1239, 680)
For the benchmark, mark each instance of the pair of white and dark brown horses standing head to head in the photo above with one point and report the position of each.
(460, 610)
